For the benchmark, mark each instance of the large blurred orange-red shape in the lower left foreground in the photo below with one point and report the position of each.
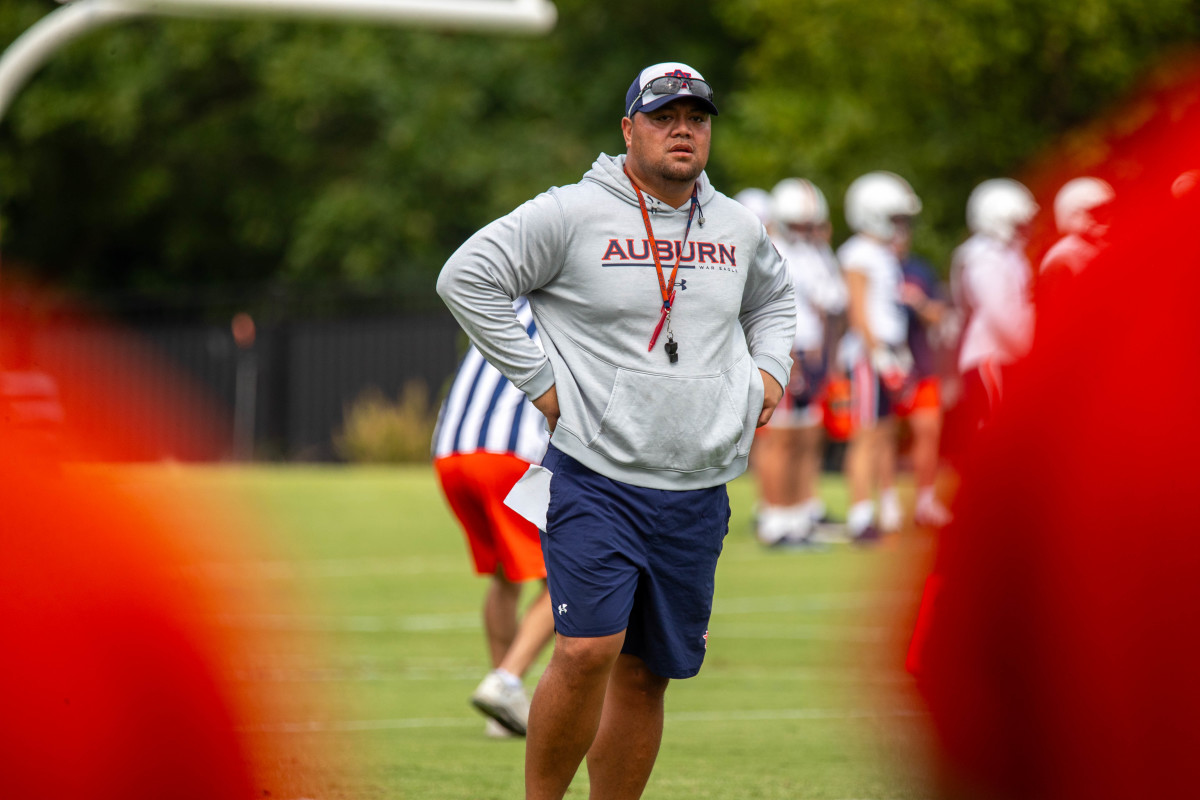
(117, 682)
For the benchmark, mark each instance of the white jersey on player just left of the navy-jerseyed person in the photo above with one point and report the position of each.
(885, 279)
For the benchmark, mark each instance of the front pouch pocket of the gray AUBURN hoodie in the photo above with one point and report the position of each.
(682, 424)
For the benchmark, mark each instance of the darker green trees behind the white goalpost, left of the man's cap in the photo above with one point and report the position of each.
(163, 155)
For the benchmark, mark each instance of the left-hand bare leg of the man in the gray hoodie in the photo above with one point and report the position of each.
(566, 712)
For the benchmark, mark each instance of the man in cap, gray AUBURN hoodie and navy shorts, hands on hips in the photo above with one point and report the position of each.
(668, 318)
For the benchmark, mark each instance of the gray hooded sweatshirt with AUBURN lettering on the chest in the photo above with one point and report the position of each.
(583, 257)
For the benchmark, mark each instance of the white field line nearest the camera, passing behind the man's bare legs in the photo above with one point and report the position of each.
(773, 715)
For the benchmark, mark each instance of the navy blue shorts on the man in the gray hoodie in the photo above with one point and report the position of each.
(626, 558)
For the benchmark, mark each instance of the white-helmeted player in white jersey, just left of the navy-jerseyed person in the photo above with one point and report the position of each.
(880, 208)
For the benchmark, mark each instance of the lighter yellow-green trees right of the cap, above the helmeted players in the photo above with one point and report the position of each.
(947, 94)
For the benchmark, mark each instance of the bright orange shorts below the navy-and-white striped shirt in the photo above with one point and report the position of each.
(476, 486)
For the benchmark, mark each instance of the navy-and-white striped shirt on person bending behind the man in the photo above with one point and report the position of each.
(485, 413)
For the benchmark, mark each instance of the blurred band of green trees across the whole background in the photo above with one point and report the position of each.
(164, 158)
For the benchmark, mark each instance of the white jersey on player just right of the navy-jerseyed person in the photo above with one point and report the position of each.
(994, 288)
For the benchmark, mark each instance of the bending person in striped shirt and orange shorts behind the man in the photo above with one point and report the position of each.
(487, 437)
